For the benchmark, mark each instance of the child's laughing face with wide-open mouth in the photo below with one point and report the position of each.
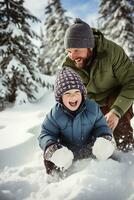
(72, 99)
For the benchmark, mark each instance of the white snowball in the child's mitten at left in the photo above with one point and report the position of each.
(62, 158)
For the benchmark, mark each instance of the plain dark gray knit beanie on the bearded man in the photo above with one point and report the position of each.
(79, 35)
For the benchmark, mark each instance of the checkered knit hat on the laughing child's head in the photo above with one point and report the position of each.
(67, 79)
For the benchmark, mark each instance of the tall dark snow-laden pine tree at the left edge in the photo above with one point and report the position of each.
(18, 72)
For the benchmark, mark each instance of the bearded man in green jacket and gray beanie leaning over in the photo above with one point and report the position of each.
(108, 75)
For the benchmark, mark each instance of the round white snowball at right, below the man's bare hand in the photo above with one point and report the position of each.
(103, 148)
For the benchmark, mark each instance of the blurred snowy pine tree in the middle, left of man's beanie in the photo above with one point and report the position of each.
(52, 47)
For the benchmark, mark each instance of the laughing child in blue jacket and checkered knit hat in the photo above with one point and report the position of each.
(74, 122)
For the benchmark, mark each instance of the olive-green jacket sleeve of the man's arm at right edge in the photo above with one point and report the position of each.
(123, 70)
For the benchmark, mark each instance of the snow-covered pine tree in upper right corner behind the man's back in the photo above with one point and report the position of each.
(117, 23)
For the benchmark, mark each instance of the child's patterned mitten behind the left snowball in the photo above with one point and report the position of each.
(51, 149)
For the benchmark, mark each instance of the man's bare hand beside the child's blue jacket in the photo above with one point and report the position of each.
(112, 119)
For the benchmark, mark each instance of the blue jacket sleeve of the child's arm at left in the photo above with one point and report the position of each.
(49, 132)
